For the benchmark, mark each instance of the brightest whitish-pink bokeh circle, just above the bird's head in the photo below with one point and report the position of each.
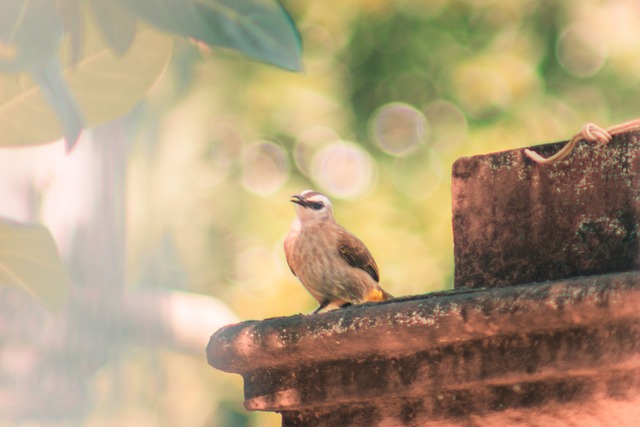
(344, 169)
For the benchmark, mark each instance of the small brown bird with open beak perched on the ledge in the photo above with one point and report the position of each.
(333, 265)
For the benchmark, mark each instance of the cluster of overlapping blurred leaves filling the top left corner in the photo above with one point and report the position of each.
(109, 62)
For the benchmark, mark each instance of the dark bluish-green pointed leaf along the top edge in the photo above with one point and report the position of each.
(261, 29)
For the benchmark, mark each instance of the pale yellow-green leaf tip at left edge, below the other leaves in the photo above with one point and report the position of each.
(29, 260)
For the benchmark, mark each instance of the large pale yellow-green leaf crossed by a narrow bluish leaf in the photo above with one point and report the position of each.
(106, 86)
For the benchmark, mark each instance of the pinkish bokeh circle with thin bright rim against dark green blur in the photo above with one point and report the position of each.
(397, 128)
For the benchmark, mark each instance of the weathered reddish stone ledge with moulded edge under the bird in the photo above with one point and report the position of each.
(535, 353)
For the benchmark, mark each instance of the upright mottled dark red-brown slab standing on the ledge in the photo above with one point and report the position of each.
(518, 222)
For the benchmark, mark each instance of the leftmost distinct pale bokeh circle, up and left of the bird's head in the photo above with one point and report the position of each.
(265, 168)
